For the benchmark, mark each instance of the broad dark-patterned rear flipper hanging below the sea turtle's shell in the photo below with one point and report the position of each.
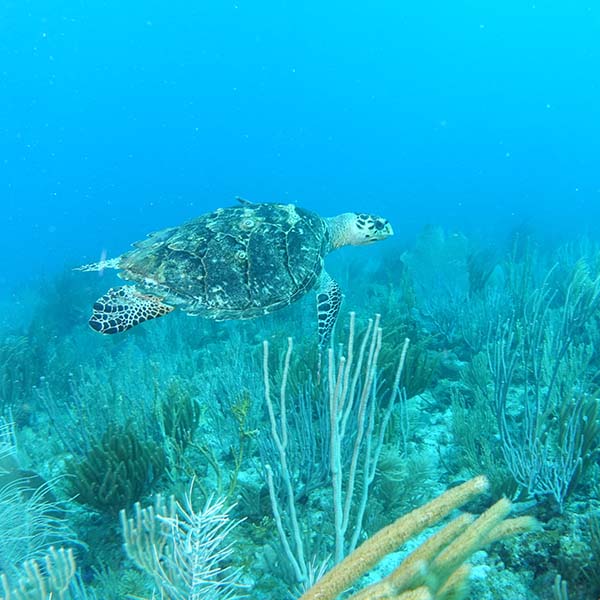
(122, 308)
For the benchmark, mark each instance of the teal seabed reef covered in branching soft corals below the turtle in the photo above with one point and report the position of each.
(499, 378)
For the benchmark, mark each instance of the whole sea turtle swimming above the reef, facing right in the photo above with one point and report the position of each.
(233, 263)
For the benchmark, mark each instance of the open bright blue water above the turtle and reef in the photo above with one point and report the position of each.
(118, 119)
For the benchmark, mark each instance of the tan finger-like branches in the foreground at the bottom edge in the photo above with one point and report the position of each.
(436, 570)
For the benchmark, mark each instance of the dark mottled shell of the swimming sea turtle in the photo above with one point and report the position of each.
(233, 263)
